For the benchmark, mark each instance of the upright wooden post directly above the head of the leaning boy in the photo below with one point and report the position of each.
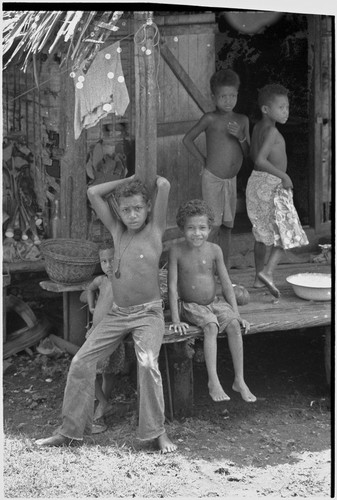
(146, 98)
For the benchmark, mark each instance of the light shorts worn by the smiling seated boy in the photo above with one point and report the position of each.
(218, 312)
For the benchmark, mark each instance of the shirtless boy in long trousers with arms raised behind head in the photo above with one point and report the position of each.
(137, 308)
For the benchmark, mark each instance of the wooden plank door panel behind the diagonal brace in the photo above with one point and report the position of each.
(193, 46)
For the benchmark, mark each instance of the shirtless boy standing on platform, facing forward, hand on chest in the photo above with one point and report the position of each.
(227, 141)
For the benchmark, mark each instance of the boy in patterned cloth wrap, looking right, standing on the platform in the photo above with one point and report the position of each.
(269, 198)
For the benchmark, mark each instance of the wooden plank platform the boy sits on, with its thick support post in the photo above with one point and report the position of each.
(264, 313)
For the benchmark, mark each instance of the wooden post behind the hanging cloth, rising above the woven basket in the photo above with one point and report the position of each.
(73, 192)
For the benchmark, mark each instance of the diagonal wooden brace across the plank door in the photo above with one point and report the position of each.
(203, 103)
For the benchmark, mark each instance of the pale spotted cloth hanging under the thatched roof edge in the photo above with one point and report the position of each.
(101, 90)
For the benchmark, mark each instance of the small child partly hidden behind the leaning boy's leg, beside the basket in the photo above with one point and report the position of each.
(99, 305)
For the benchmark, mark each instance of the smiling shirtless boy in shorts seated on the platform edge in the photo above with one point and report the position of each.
(191, 278)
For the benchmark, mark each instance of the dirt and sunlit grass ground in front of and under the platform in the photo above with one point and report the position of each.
(277, 447)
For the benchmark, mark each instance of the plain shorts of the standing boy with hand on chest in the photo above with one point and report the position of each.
(220, 195)
